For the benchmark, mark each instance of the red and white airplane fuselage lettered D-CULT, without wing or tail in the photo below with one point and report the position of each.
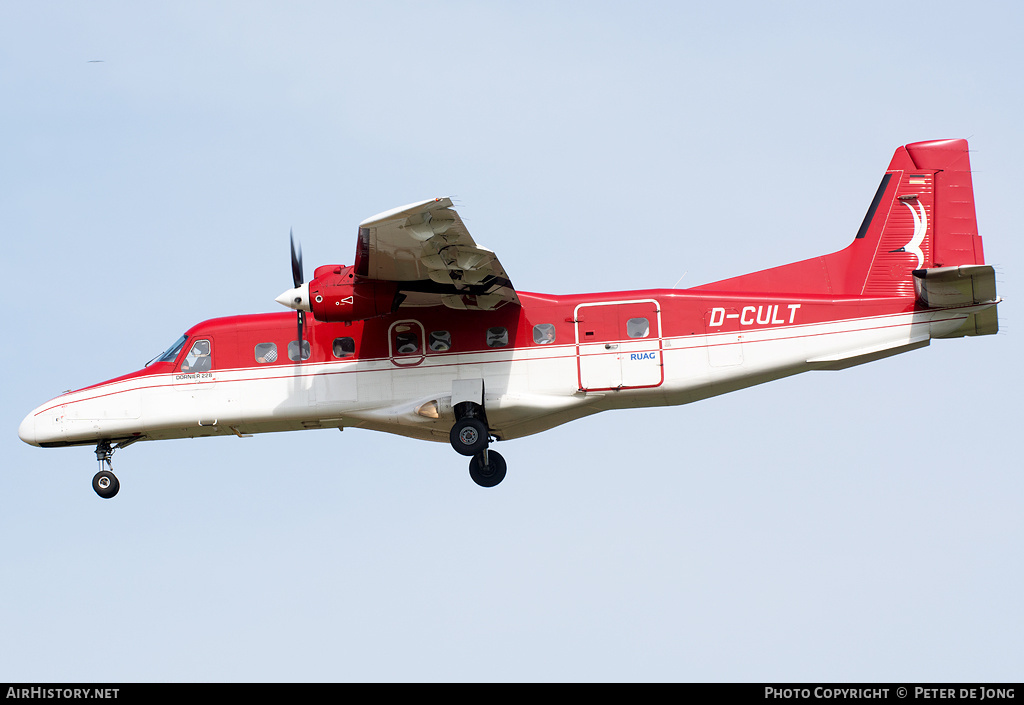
(682, 348)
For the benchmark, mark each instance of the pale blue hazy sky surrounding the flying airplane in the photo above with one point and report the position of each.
(856, 526)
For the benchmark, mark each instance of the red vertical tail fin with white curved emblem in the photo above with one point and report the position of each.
(922, 218)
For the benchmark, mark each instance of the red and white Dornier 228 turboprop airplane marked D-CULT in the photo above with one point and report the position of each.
(425, 336)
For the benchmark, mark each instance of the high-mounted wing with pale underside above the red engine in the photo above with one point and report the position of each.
(426, 250)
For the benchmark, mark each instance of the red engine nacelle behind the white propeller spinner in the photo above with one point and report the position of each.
(335, 296)
